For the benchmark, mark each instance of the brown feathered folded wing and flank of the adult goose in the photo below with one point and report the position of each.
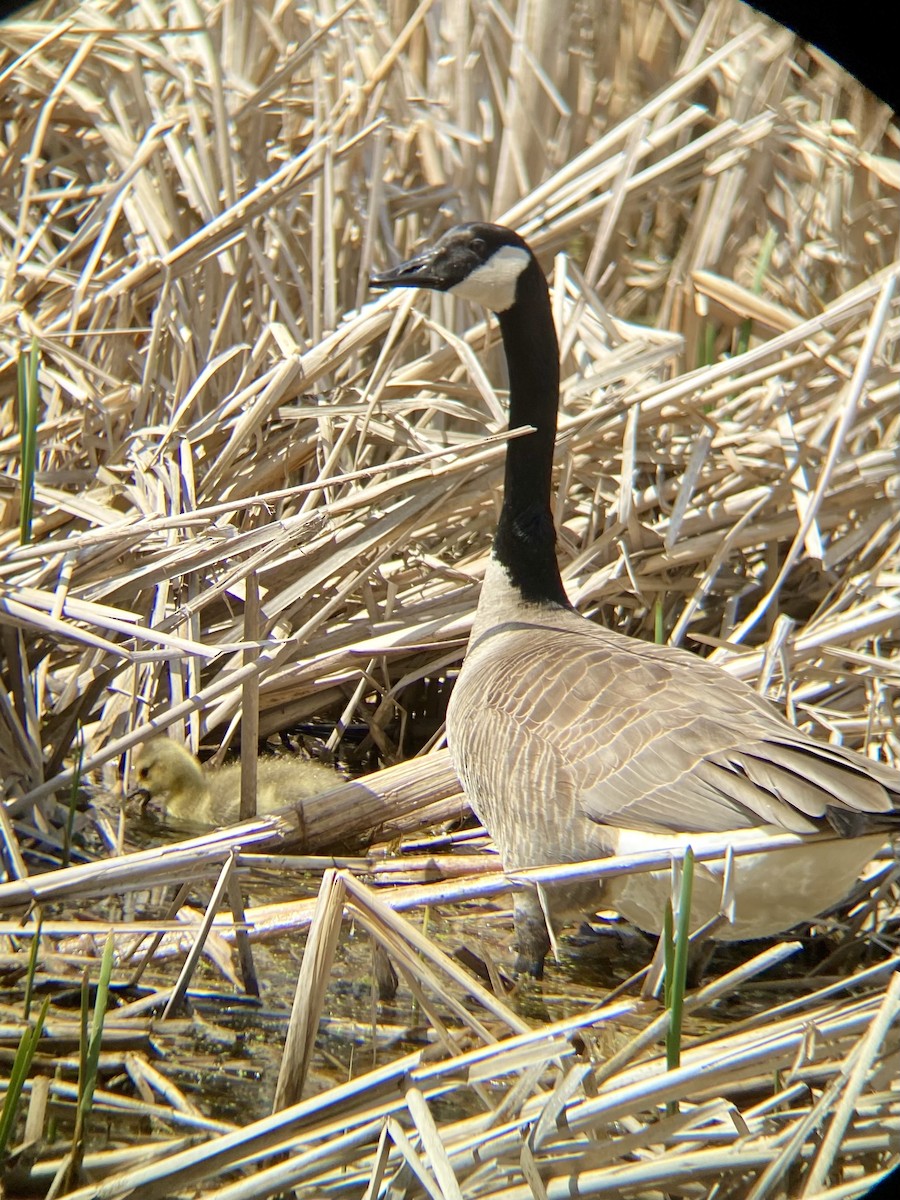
(647, 737)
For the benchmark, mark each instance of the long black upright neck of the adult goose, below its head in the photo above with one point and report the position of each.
(526, 539)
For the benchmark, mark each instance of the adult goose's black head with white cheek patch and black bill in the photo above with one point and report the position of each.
(478, 262)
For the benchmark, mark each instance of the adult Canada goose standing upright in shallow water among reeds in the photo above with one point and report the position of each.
(574, 742)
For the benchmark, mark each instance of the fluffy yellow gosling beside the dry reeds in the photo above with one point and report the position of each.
(169, 772)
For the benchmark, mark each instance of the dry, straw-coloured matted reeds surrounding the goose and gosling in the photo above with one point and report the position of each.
(202, 401)
